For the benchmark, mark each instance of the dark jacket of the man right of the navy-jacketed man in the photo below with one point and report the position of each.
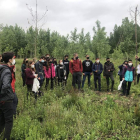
(108, 66)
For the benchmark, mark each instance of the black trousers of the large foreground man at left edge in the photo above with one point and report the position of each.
(6, 118)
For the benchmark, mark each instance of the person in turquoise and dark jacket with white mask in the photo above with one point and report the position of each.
(128, 77)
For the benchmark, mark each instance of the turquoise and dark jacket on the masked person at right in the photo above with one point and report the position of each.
(128, 73)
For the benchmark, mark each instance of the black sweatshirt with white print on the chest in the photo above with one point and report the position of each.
(87, 66)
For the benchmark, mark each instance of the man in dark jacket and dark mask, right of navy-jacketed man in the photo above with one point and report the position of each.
(108, 73)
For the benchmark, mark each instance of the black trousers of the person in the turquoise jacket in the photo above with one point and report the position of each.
(124, 86)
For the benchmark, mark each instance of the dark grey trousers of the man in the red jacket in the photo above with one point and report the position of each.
(76, 79)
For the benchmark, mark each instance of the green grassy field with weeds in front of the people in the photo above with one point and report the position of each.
(60, 115)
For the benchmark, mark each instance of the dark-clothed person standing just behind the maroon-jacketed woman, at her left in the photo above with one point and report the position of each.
(23, 68)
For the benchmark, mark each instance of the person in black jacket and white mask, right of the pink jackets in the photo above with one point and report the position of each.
(61, 73)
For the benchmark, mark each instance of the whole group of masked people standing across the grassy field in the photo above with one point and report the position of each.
(46, 69)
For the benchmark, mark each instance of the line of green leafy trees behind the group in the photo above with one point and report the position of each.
(120, 43)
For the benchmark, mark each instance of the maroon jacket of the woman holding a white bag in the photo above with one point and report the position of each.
(29, 76)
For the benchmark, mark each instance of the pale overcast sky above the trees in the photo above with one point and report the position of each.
(64, 15)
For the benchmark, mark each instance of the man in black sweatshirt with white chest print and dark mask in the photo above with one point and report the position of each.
(87, 70)
